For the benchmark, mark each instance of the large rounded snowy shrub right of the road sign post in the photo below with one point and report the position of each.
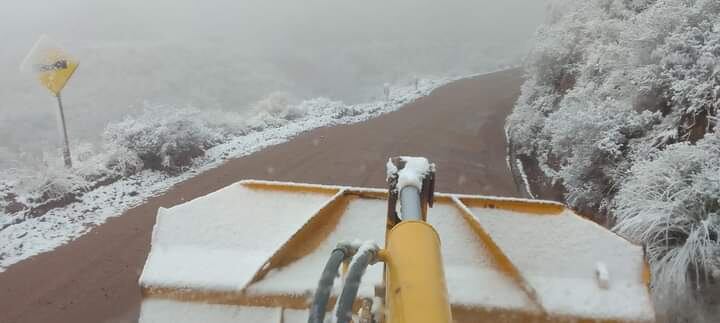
(162, 138)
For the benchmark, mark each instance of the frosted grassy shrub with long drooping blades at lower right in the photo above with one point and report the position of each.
(671, 204)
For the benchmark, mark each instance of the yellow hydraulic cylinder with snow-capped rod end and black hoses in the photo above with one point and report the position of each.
(415, 288)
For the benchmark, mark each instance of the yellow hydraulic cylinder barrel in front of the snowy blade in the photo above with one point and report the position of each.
(416, 291)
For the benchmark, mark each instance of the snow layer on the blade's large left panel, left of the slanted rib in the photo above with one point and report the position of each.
(219, 241)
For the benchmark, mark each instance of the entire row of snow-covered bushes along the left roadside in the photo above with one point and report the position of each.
(160, 138)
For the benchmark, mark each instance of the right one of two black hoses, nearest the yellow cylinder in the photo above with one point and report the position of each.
(360, 262)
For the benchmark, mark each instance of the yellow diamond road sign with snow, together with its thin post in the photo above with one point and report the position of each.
(53, 68)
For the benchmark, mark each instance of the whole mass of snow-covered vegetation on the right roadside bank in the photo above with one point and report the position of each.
(620, 109)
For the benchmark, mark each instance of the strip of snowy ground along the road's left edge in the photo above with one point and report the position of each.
(25, 236)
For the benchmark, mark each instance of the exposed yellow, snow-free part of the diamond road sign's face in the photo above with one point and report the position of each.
(55, 69)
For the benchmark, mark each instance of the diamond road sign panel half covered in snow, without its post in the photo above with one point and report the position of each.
(52, 65)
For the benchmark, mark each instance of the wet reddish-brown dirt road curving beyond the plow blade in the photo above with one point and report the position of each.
(459, 127)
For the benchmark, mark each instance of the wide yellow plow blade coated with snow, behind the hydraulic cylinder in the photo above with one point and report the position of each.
(254, 251)
